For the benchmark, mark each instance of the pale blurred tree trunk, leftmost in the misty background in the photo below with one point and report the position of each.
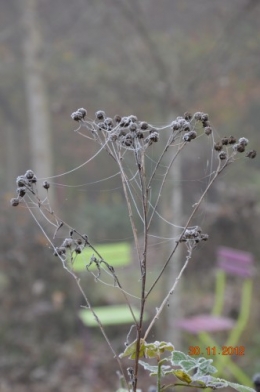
(36, 95)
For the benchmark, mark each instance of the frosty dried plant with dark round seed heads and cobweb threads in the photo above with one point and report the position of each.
(128, 141)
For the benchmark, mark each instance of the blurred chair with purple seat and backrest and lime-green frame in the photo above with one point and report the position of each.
(236, 263)
